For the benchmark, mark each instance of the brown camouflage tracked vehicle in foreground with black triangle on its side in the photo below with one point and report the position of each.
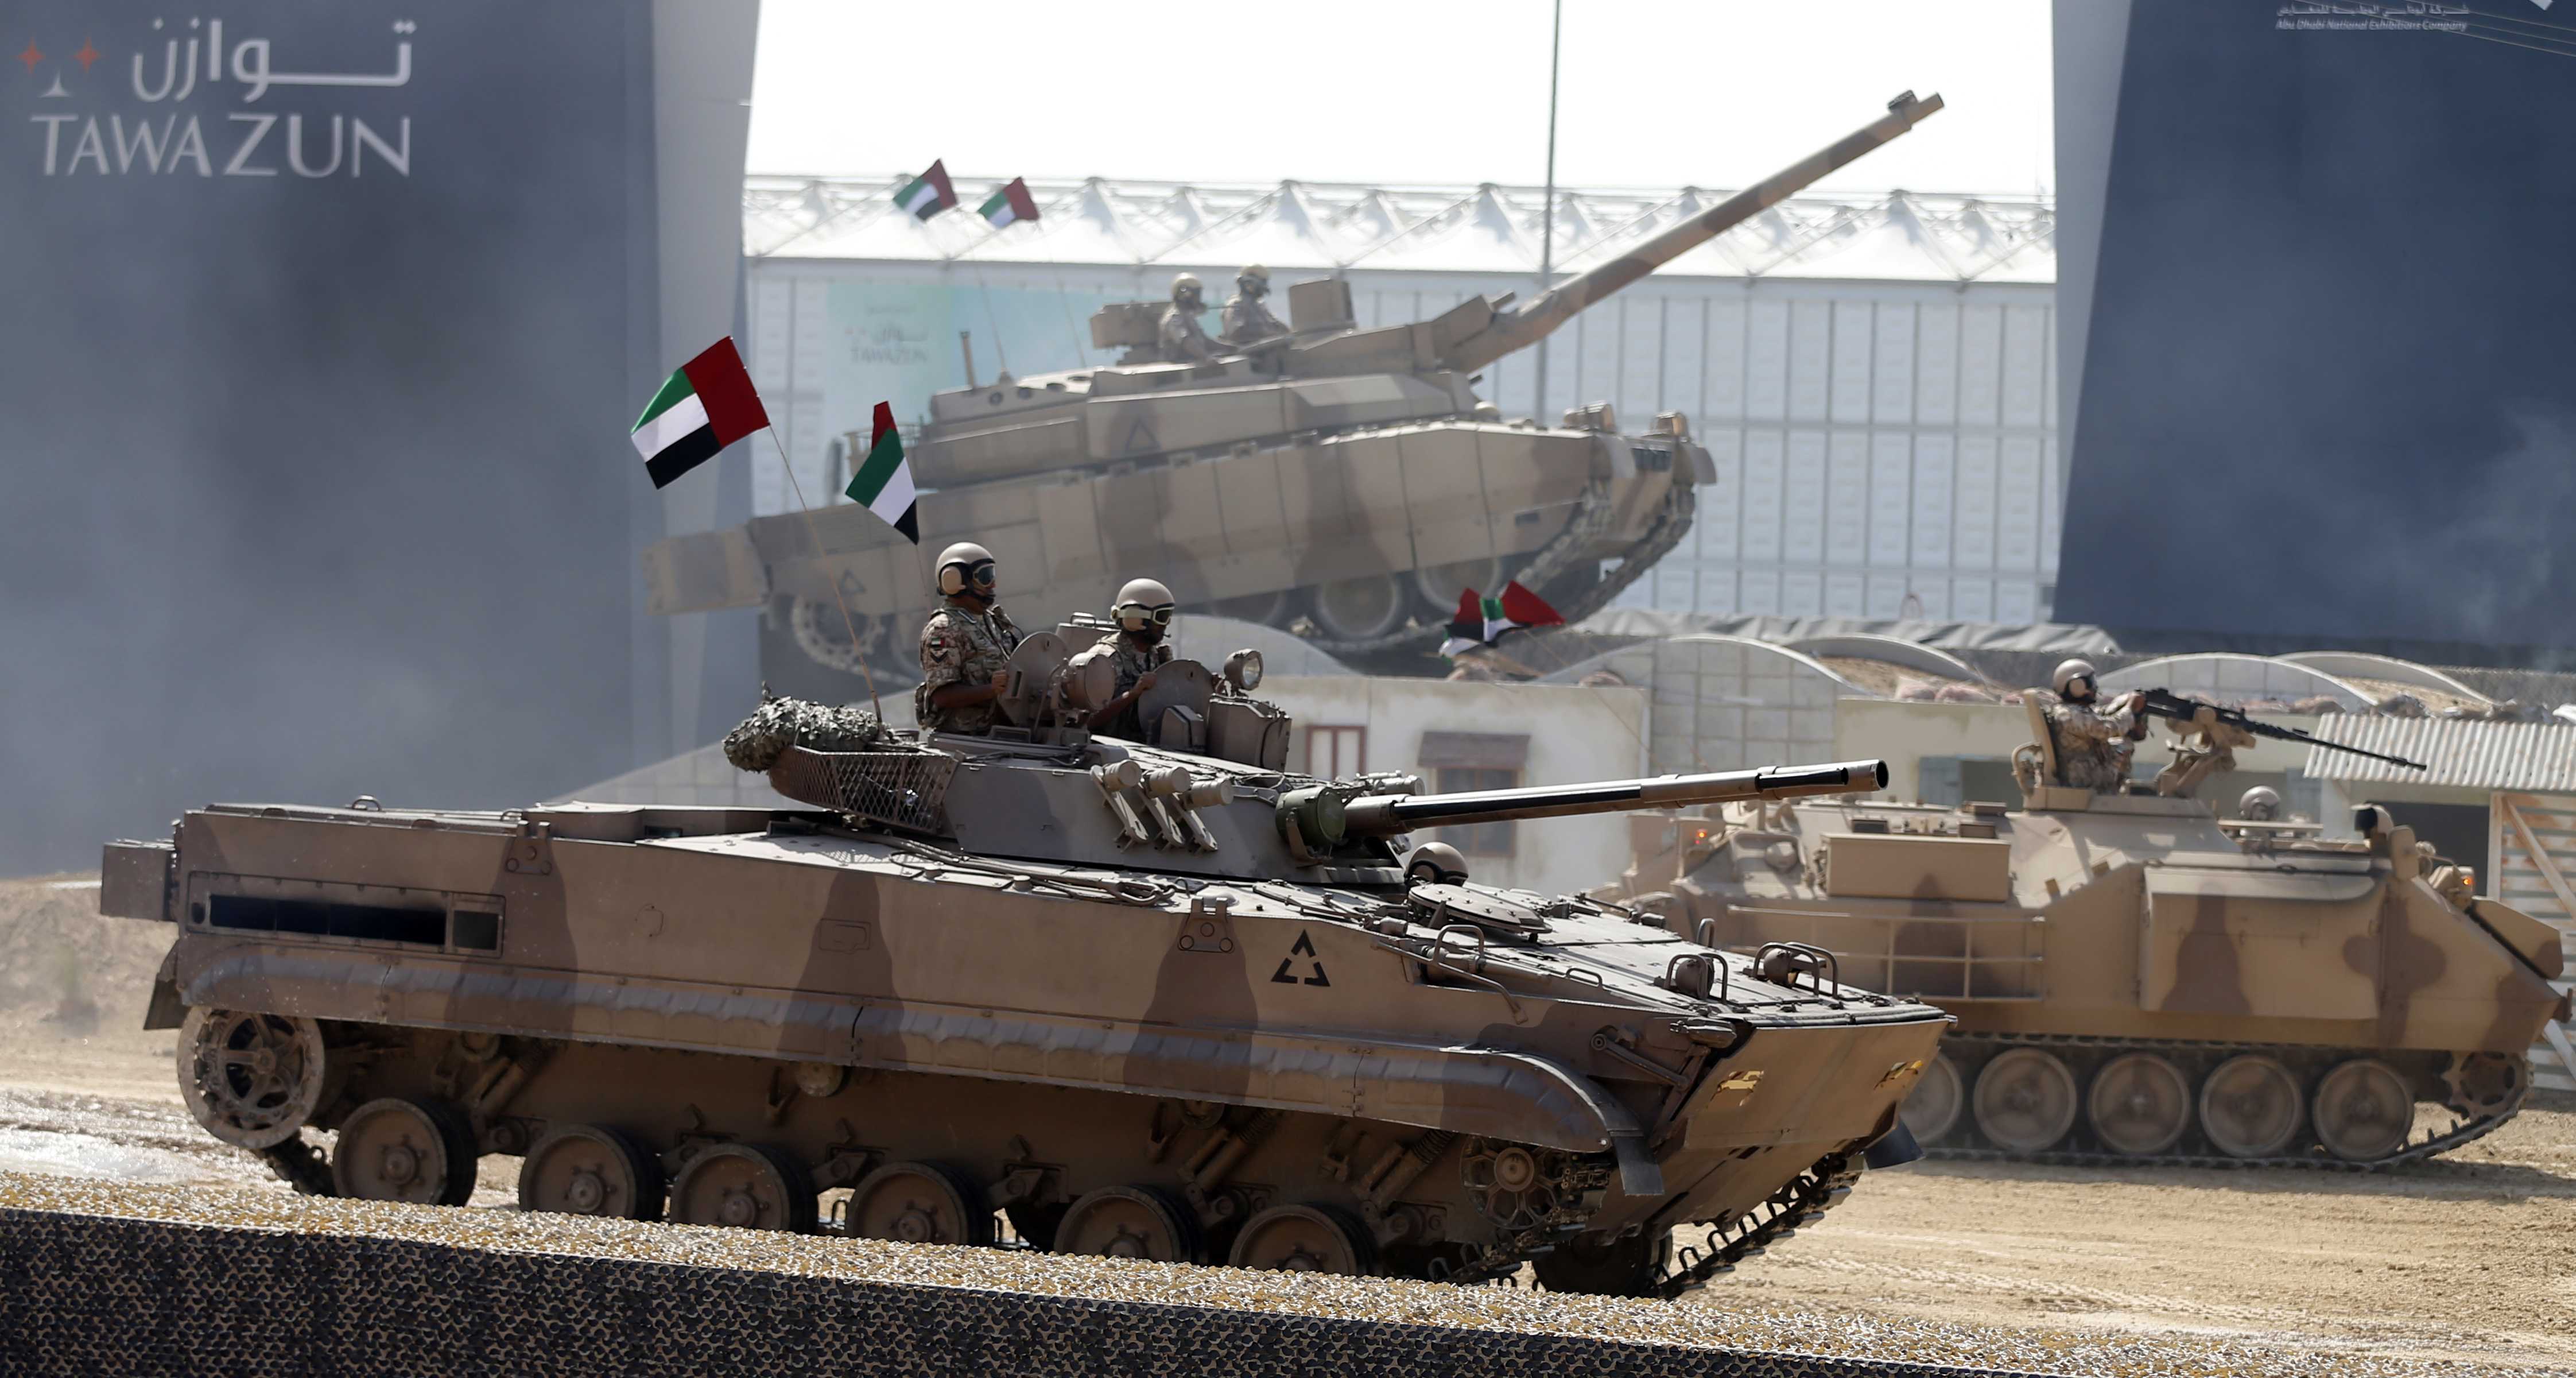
(1145, 998)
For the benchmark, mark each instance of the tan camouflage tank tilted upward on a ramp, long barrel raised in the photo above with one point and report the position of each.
(1333, 478)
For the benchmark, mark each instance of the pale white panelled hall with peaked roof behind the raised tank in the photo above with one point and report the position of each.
(1871, 375)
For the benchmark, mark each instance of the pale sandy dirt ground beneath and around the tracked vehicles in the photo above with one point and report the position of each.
(2464, 1258)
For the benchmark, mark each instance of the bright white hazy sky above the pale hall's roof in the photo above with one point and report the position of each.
(1403, 91)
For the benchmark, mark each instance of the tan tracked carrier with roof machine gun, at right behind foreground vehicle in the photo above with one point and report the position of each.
(2134, 980)
